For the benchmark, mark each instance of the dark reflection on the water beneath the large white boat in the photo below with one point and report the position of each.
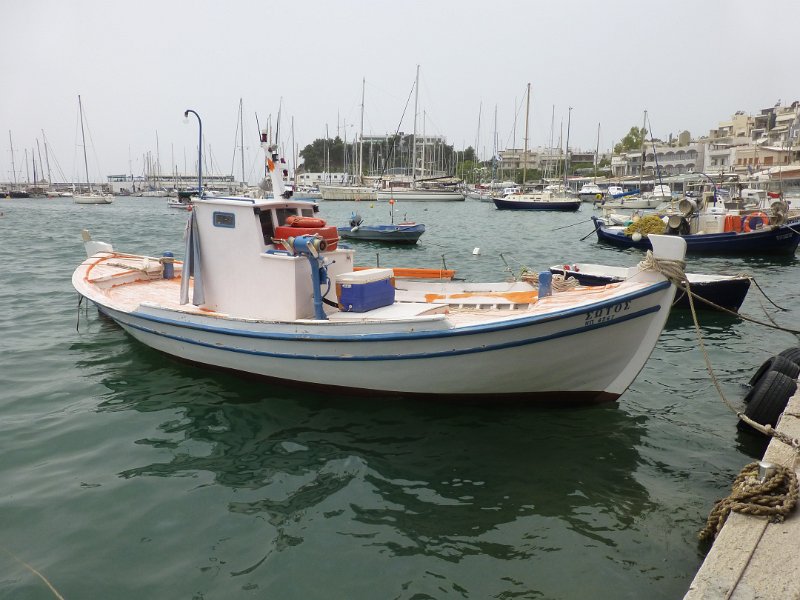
(408, 477)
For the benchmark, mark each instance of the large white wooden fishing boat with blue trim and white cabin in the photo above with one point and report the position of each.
(258, 294)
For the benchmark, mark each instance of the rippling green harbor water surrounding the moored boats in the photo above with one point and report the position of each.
(127, 474)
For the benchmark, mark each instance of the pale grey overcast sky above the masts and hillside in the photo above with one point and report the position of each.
(139, 65)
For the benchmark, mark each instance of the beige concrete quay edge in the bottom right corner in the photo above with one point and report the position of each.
(751, 557)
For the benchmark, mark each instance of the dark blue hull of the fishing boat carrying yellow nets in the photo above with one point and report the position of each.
(782, 240)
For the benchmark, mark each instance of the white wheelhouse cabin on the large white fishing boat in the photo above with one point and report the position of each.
(248, 265)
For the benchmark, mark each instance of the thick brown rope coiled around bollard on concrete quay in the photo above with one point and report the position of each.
(773, 496)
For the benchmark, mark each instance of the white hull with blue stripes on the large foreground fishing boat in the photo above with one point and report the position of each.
(515, 358)
